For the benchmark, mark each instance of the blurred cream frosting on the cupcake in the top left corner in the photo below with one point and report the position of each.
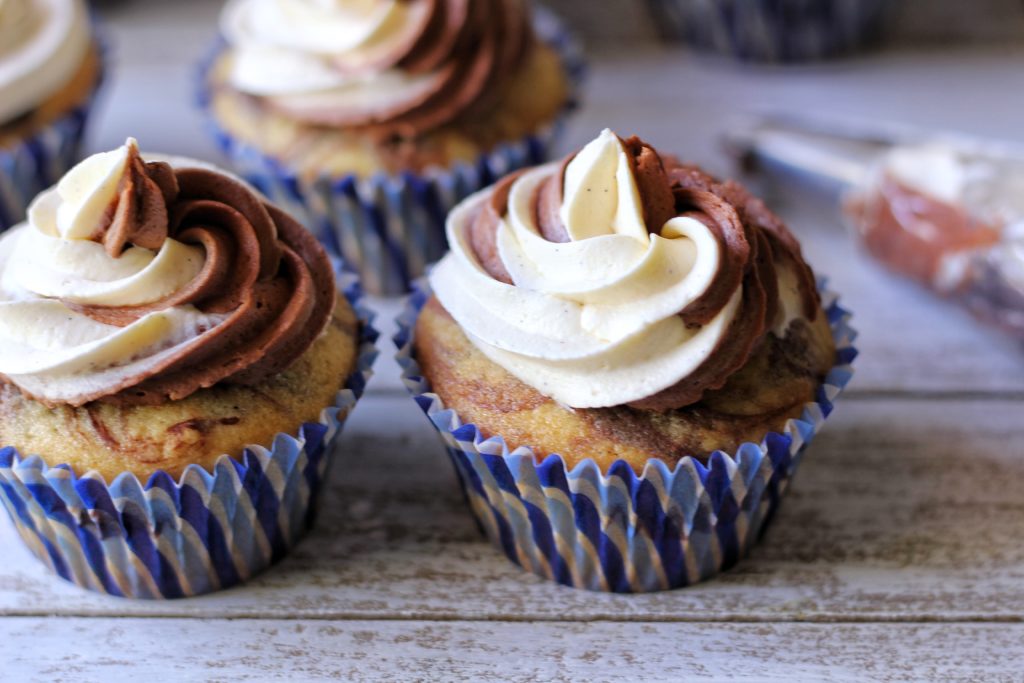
(42, 45)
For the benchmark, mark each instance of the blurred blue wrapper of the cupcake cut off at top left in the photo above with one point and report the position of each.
(29, 166)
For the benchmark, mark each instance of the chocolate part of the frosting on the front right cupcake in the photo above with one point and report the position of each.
(754, 245)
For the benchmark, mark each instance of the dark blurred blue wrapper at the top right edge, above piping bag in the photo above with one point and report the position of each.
(772, 30)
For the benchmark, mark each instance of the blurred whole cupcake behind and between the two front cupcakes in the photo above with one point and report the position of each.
(375, 118)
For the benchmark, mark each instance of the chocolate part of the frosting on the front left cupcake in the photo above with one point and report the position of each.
(263, 270)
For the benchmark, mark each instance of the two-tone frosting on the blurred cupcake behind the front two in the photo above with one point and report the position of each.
(394, 67)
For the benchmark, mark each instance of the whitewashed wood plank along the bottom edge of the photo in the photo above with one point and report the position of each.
(83, 650)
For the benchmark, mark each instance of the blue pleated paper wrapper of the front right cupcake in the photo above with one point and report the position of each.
(668, 528)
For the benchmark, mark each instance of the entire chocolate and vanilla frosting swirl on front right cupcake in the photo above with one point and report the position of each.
(621, 278)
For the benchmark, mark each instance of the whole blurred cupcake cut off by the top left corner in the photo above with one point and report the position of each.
(51, 67)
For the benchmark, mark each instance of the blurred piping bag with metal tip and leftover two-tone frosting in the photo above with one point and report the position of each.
(945, 210)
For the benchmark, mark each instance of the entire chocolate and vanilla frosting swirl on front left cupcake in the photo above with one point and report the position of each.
(141, 282)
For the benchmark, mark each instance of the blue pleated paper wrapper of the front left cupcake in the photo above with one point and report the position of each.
(206, 532)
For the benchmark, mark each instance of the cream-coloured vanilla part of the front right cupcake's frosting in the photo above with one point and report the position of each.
(592, 322)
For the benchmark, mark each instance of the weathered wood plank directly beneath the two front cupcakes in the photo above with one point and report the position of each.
(904, 509)
